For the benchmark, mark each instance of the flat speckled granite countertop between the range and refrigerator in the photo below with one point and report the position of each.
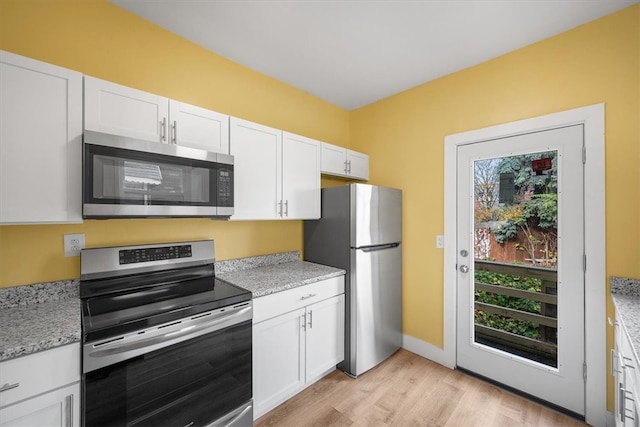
(270, 279)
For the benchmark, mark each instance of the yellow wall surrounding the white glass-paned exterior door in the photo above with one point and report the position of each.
(404, 136)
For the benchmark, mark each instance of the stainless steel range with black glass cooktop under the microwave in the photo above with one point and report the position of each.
(164, 342)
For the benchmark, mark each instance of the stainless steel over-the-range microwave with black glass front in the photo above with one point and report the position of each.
(132, 178)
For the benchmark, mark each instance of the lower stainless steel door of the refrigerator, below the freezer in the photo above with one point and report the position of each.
(376, 306)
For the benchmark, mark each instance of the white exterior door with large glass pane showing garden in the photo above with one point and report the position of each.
(521, 302)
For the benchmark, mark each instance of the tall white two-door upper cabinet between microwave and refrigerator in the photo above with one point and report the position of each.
(276, 174)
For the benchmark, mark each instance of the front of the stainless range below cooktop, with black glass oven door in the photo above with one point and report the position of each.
(185, 379)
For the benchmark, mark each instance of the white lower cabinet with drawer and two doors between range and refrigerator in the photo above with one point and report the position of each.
(298, 337)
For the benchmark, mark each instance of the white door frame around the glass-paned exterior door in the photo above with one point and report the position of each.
(592, 117)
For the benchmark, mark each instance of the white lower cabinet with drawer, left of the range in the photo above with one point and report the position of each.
(42, 389)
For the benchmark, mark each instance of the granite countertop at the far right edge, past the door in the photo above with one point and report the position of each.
(626, 297)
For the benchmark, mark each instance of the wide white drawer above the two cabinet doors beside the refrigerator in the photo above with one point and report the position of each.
(272, 305)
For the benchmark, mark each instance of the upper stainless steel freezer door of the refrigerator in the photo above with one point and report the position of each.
(376, 215)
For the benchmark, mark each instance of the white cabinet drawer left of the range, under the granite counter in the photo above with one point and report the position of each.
(39, 372)
